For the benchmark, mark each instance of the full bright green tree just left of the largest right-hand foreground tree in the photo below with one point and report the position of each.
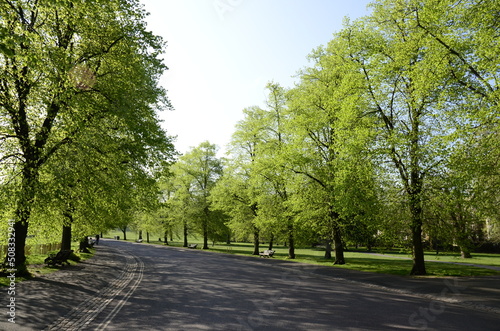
(328, 147)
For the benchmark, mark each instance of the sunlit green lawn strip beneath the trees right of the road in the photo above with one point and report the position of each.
(395, 263)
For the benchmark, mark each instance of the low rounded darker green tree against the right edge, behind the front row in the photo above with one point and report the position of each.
(464, 192)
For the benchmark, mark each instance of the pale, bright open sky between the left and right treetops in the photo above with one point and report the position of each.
(221, 54)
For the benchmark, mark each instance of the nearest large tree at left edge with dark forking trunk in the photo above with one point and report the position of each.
(62, 72)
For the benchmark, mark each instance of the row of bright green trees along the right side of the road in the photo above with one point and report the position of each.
(389, 137)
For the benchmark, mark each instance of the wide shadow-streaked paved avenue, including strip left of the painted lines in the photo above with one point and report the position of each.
(128, 286)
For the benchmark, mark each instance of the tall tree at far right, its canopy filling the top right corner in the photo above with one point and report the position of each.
(463, 34)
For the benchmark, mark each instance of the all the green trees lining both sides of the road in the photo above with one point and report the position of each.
(389, 137)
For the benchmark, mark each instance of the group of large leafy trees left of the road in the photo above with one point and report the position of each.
(80, 140)
